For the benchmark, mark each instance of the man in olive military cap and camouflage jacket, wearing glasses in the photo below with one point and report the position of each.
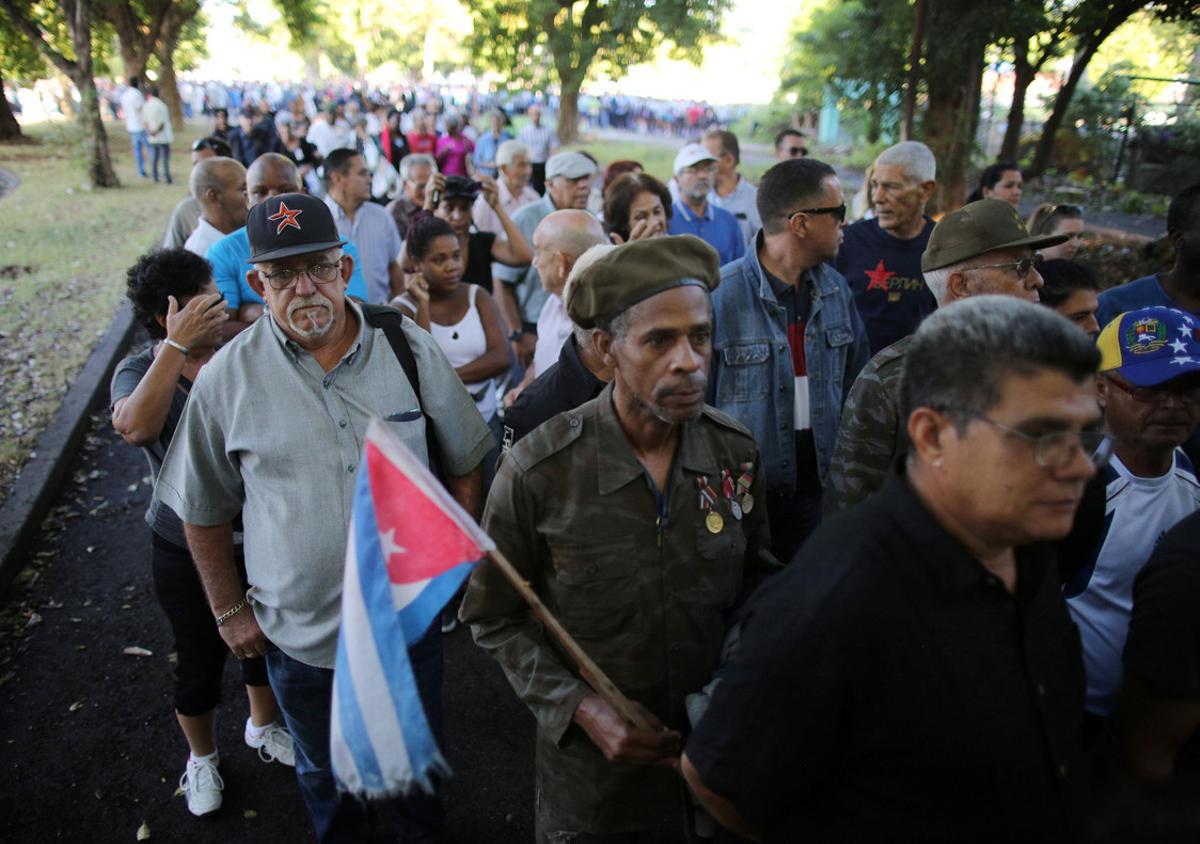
(983, 248)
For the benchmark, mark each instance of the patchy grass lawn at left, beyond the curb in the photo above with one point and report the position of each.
(77, 244)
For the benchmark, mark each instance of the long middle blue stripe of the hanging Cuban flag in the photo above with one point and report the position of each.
(391, 642)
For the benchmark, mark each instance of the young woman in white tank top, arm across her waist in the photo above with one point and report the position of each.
(464, 319)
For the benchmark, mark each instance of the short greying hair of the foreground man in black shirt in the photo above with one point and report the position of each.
(962, 354)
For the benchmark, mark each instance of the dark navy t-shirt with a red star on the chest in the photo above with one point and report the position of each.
(885, 276)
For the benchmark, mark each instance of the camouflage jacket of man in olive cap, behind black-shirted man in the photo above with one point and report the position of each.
(872, 434)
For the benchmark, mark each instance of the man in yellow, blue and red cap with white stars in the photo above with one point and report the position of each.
(1150, 392)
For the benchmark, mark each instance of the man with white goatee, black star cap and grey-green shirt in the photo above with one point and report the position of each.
(274, 430)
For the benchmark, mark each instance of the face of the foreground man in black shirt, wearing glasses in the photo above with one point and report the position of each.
(1022, 501)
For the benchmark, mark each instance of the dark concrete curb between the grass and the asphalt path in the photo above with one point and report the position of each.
(39, 482)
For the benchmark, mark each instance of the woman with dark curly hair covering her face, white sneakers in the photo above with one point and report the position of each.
(176, 301)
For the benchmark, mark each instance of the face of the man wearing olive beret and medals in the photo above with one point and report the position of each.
(662, 362)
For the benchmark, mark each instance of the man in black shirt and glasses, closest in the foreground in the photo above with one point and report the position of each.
(914, 675)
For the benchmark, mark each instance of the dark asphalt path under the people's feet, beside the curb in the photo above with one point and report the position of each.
(89, 747)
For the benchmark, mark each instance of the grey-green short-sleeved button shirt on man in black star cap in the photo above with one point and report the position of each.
(269, 434)
